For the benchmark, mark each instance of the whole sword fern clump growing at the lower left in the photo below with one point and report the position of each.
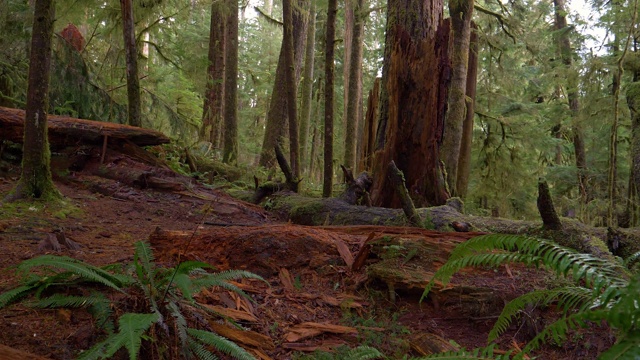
(158, 303)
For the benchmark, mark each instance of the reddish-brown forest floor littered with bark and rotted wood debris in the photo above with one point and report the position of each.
(106, 217)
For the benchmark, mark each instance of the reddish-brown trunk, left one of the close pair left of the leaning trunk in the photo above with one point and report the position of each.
(212, 113)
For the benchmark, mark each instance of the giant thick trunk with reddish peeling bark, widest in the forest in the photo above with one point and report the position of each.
(415, 79)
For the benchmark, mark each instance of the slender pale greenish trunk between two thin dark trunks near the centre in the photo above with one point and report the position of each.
(307, 88)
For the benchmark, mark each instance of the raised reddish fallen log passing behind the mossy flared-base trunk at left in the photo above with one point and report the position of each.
(65, 131)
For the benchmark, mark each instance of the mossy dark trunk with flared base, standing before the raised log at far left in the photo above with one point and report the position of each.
(35, 180)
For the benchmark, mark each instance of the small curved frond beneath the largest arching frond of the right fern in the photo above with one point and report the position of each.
(567, 297)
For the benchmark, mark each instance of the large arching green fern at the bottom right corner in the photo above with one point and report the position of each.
(602, 291)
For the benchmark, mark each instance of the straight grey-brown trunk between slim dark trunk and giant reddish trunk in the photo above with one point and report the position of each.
(354, 96)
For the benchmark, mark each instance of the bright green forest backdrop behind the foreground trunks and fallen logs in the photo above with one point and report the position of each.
(552, 100)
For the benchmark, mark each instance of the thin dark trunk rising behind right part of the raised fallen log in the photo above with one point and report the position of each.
(131, 52)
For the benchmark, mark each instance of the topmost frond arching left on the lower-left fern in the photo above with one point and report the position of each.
(76, 267)
